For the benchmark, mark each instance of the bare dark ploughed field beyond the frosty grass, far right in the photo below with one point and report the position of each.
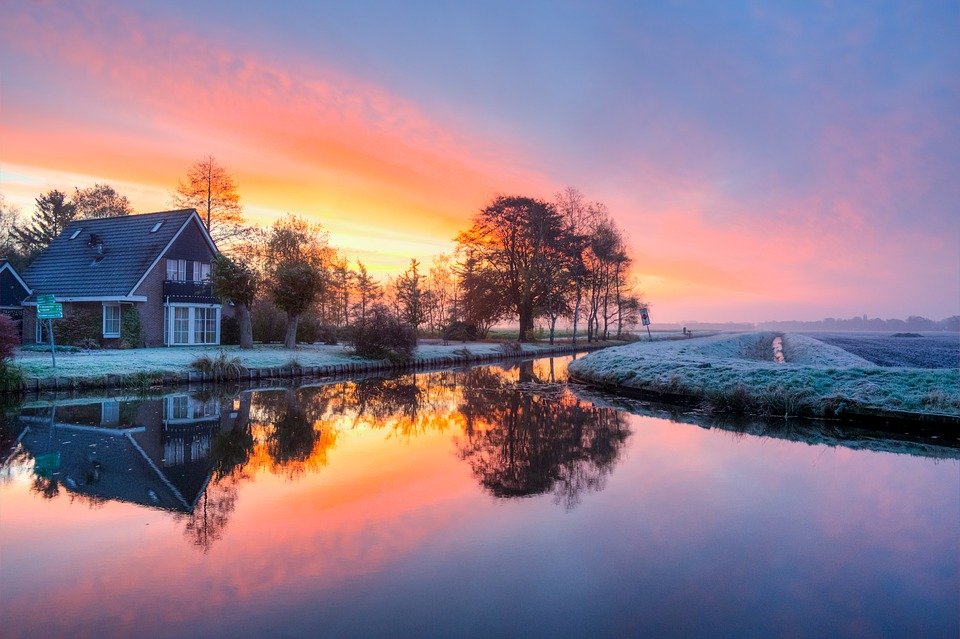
(930, 350)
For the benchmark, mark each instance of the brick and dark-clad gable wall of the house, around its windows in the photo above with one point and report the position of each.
(189, 246)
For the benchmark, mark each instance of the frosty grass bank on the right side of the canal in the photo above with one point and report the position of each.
(735, 372)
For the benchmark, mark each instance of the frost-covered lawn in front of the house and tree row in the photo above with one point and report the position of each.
(178, 359)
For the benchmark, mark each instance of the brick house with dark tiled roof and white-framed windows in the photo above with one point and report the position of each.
(154, 267)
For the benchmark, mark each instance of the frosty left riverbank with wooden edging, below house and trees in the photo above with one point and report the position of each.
(147, 367)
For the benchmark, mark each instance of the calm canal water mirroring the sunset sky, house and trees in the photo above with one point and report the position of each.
(488, 502)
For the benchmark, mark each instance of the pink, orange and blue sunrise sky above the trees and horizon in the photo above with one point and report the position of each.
(795, 161)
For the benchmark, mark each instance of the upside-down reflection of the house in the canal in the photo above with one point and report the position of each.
(153, 452)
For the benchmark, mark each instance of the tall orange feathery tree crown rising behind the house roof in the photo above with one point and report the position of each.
(213, 193)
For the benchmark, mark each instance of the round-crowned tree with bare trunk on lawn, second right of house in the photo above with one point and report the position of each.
(299, 257)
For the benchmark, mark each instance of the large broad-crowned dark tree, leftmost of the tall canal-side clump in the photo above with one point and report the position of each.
(512, 240)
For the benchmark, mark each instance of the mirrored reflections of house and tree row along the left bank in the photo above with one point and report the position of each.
(187, 452)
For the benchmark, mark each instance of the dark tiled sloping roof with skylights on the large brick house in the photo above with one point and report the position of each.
(70, 268)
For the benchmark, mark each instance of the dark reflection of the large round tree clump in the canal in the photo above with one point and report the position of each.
(520, 444)
